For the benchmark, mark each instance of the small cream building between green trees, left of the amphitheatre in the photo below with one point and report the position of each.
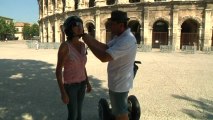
(19, 27)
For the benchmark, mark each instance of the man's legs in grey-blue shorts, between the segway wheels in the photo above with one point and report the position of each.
(119, 104)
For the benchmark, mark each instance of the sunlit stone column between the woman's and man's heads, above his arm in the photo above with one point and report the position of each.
(97, 25)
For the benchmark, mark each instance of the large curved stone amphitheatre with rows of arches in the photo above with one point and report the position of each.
(155, 23)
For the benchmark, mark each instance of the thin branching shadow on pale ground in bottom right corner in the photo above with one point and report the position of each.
(203, 107)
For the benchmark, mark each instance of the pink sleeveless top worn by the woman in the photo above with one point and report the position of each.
(74, 66)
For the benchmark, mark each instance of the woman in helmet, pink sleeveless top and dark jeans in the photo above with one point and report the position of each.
(72, 59)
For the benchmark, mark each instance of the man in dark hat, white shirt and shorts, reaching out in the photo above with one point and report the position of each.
(120, 52)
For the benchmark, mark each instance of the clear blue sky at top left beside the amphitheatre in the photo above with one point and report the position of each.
(20, 10)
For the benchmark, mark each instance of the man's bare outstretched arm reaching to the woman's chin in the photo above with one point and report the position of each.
(97, 48)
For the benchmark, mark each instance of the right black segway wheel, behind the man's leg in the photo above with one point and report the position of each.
(134, 108)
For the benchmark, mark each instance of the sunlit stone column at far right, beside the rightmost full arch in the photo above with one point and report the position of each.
(207, 28)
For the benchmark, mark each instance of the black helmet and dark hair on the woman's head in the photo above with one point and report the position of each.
(68, 24)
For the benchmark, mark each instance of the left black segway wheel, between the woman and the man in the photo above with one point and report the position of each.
(103, 109)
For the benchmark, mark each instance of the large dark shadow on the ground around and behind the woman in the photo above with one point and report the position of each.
(29, 91)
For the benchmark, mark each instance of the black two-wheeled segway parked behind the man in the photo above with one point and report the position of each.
(133, 105)
